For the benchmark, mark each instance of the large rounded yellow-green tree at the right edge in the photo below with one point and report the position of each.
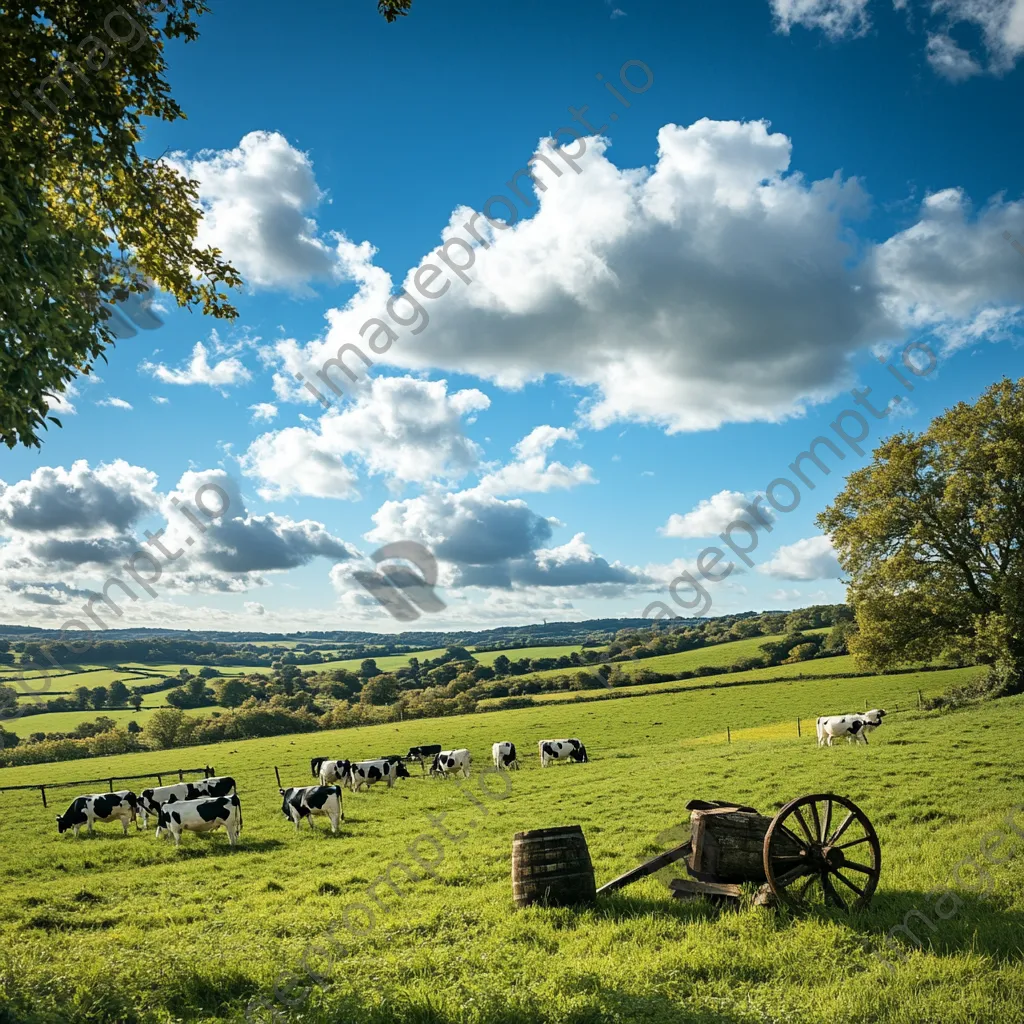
(932, 537)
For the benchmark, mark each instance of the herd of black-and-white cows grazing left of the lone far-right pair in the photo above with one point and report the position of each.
(214, 803)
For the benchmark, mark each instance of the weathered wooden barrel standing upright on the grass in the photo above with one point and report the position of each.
(552, 867)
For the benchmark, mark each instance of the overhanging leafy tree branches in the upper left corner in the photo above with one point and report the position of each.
(84, 220)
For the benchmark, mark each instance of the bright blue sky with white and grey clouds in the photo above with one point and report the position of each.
(801, 188)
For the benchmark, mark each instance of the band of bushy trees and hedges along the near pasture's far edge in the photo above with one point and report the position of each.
(289, 701)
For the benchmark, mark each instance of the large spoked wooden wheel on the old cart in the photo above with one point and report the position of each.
(822, 850)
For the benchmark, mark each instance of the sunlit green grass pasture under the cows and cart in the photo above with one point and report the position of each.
(200, 934)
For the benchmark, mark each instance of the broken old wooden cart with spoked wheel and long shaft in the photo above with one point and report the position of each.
(818, 849)
